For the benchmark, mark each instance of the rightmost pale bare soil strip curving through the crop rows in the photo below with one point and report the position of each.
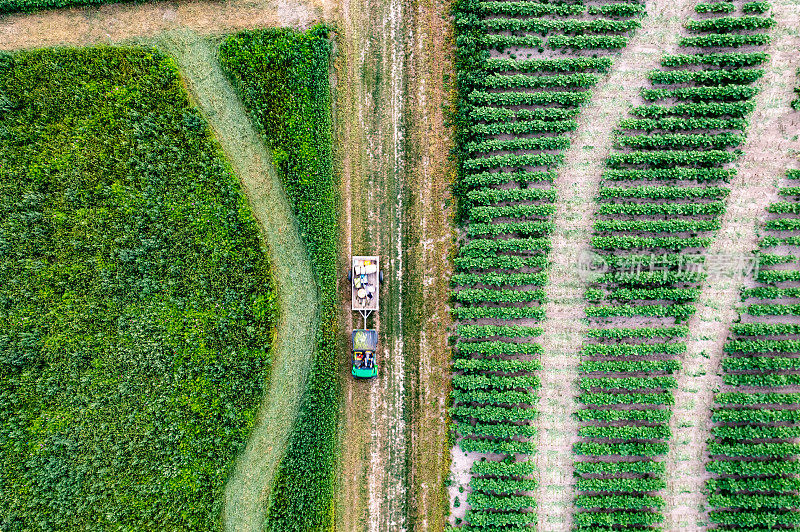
(771, 139)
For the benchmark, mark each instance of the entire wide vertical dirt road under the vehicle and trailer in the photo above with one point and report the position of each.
(393, 164)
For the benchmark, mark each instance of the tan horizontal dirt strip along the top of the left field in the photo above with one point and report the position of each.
(124, 22)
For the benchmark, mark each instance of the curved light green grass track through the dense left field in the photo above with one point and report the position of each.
(248, 489)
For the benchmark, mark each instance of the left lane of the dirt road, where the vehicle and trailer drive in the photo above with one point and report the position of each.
(370, 137)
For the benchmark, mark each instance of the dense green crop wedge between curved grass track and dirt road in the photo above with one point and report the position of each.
(282, 76)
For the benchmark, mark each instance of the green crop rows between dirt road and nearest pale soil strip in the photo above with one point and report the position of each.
(506, 199)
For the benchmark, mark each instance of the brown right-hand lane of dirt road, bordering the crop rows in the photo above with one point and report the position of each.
(431, 240)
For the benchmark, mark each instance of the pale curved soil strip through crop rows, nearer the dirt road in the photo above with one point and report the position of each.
(577, 183)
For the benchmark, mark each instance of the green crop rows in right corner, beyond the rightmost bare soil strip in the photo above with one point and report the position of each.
(754, 450)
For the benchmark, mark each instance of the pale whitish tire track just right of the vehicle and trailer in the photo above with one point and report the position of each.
(388, 473)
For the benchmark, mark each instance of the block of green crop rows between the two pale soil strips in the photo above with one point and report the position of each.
(660, 202)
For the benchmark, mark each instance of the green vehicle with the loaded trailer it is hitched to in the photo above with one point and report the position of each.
(365, 277)
